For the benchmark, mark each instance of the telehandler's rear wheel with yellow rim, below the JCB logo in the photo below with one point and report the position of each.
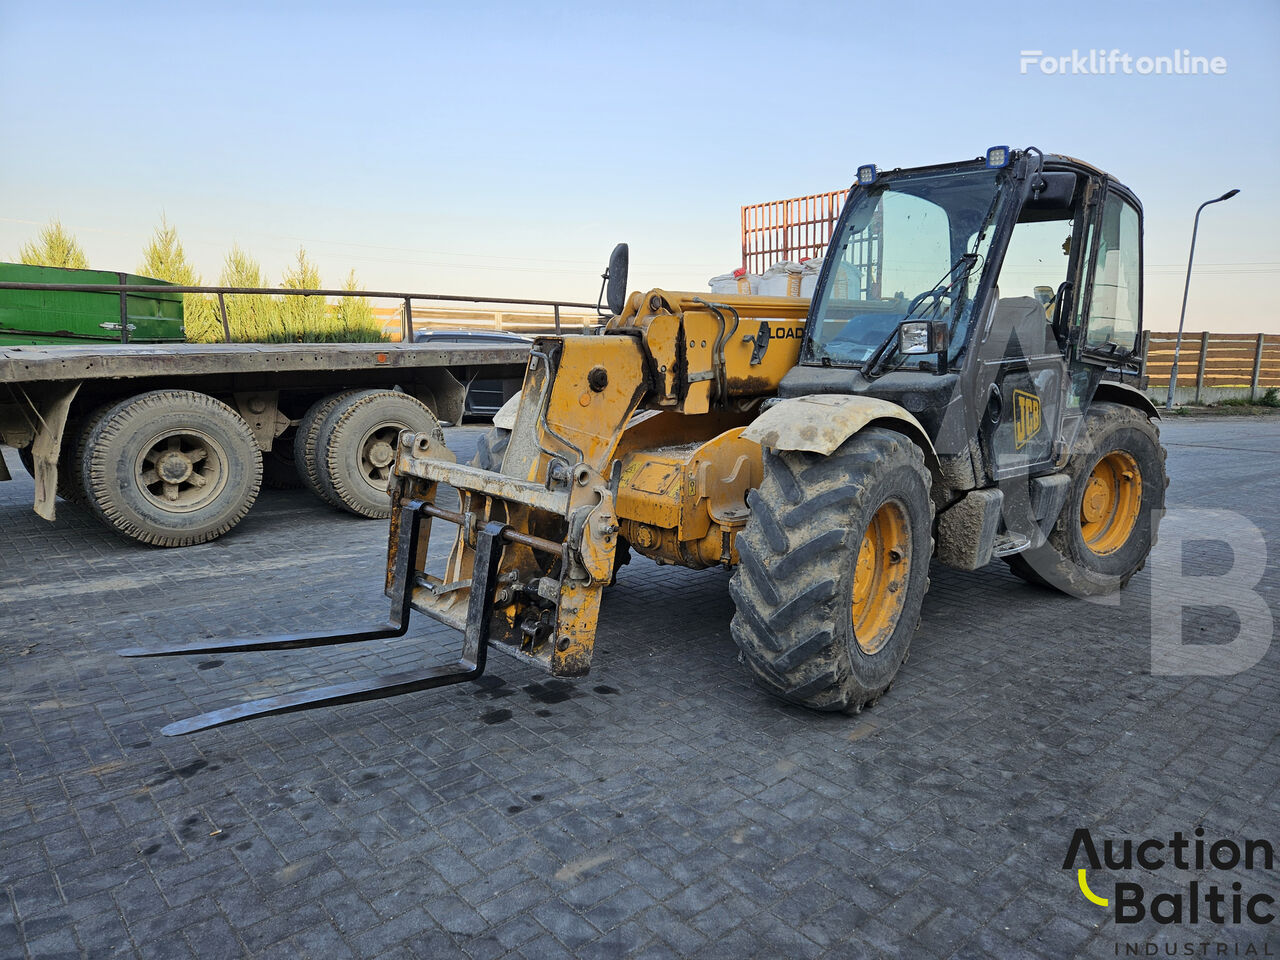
(1113, 510)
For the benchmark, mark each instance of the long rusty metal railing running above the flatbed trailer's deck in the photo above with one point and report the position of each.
(406, 300)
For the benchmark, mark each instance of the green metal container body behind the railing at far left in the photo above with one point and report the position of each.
(70, 317)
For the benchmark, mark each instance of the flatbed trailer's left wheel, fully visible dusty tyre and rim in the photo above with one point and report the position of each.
(172, 468)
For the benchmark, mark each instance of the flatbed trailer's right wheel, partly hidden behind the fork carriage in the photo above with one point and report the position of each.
(358, 444)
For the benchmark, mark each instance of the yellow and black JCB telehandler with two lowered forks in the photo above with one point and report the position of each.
(961, 387)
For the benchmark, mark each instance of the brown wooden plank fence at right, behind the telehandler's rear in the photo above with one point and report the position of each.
(1213, 365)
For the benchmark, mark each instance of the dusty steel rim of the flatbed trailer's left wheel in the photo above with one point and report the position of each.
(181, 470)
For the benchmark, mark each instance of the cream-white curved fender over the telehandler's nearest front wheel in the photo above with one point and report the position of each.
(822, 422)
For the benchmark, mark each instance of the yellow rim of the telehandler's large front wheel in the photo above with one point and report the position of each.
(880, 578)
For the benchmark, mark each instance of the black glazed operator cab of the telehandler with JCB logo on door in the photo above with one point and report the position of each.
(988, 298)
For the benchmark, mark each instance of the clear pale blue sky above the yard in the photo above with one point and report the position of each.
(502, 149)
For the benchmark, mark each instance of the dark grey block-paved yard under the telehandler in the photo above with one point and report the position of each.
(662, 808)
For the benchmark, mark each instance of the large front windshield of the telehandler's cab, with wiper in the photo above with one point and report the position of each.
(911, 246)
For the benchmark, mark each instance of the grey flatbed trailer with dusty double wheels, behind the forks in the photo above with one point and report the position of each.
(171, 444)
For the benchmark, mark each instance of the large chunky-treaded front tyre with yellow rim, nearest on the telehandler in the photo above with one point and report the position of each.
(835, 564)
